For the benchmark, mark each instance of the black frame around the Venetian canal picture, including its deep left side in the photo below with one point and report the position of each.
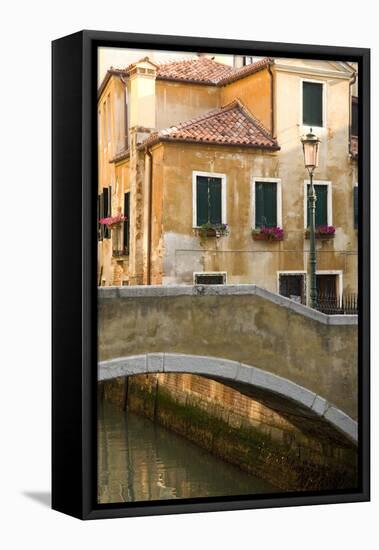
(74, 316)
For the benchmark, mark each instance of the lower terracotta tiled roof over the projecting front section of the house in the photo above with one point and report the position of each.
(229, 125)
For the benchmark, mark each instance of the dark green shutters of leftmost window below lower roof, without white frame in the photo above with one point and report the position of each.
(208, 200)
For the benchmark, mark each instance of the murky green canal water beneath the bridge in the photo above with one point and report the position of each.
(140, 460)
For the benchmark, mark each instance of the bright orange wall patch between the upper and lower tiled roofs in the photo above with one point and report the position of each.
(254, 92)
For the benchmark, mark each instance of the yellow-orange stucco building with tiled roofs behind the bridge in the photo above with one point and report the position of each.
(190, 145)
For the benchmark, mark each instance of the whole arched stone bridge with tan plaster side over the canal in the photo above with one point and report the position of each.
(269, 347)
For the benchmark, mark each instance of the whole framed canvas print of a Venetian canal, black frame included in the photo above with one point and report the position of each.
(210, 274)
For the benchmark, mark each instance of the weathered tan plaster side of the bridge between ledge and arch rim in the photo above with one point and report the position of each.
(243, 327)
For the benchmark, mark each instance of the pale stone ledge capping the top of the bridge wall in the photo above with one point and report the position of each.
(160, 291)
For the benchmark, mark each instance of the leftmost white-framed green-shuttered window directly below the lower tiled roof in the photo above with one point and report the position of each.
(209, 198)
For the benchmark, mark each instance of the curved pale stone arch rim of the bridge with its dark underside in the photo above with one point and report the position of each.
(309, 412)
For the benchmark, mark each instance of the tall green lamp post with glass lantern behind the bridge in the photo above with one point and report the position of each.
(310, 149)
